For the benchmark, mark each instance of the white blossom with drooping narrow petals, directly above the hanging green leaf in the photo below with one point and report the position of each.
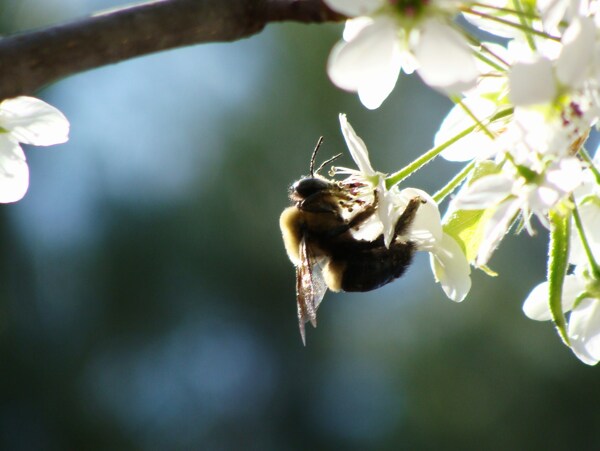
(519, 188)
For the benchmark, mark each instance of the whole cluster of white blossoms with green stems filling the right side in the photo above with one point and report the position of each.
(523, 113)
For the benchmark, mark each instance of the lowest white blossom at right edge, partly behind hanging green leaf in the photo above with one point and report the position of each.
(580, 296)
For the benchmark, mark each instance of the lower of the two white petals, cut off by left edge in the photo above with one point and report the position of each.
(14, 172)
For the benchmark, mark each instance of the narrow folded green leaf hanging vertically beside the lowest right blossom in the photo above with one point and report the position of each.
(557, 269)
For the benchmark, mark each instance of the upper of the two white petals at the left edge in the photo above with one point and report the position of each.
(32, 121)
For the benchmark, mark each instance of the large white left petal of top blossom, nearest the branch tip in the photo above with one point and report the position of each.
(368, 64)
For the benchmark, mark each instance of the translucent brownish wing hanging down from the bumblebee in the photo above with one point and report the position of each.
(310, 286)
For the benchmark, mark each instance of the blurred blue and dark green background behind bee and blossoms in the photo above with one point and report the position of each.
(146, 301)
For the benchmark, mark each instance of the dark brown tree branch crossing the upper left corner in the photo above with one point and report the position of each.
(32, 60)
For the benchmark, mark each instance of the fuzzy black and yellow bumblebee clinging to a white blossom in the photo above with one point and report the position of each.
(318, 236)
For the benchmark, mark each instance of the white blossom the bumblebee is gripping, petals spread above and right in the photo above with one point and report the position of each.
(448, 262)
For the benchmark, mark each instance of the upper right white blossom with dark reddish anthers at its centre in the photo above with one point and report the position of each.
(554, 114)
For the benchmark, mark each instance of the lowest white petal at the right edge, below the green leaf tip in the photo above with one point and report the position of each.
(584, 331)
